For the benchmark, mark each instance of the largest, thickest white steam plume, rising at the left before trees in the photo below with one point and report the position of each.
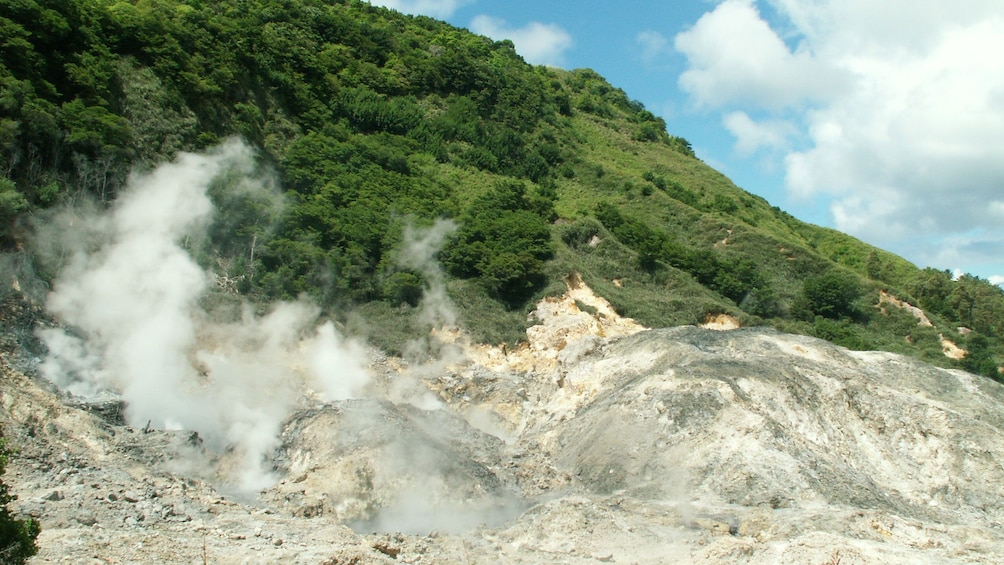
(132, 294)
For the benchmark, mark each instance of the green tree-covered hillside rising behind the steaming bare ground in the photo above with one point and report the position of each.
(374, 122)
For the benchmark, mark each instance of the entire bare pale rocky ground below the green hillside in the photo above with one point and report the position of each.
(598, 442)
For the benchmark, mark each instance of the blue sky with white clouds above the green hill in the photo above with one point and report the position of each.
(884, 120)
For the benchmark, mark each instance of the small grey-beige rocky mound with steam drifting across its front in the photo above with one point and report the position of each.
(384, 467)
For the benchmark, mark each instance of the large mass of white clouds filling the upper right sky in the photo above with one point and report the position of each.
(904, 117)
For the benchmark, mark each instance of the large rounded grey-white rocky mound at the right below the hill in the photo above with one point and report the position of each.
(757, 419)
